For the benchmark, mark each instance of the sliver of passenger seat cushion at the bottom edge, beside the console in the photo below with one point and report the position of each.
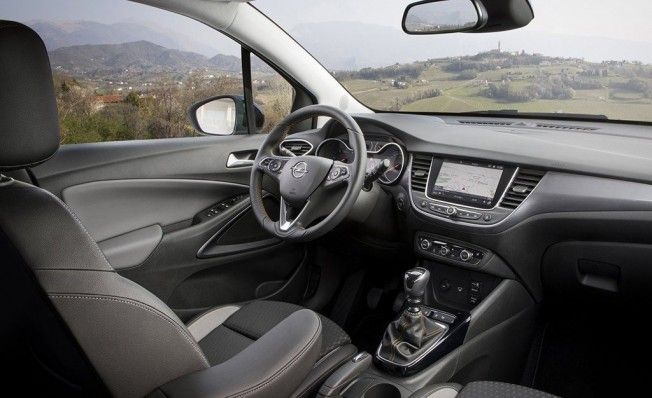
(479, 389)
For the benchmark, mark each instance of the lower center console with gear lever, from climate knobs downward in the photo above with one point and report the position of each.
(464, 317)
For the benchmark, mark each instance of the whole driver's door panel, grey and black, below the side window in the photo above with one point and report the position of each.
(170, 215)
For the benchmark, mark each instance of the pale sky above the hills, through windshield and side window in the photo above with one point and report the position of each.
(560, 27)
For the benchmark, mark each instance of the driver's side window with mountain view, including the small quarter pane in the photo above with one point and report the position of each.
(120, 76)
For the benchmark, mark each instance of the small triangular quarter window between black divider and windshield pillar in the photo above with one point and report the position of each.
(272, 93)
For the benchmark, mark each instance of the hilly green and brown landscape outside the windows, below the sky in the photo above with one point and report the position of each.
(143, 90)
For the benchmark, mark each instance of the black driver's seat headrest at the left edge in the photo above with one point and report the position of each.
(29, 125)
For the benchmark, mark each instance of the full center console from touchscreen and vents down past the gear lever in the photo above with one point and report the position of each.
(464, 315)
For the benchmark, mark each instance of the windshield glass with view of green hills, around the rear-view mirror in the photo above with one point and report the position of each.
(576, 57)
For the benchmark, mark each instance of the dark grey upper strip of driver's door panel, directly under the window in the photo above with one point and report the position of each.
(202, 158)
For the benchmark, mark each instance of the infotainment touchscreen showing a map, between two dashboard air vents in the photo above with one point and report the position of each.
(467, 182)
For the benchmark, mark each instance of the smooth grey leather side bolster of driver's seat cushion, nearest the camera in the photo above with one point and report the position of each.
(273, 366)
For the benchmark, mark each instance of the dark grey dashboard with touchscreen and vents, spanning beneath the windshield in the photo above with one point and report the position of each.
(478, 192)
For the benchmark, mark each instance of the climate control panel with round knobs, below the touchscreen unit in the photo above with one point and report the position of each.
(446, 249)
